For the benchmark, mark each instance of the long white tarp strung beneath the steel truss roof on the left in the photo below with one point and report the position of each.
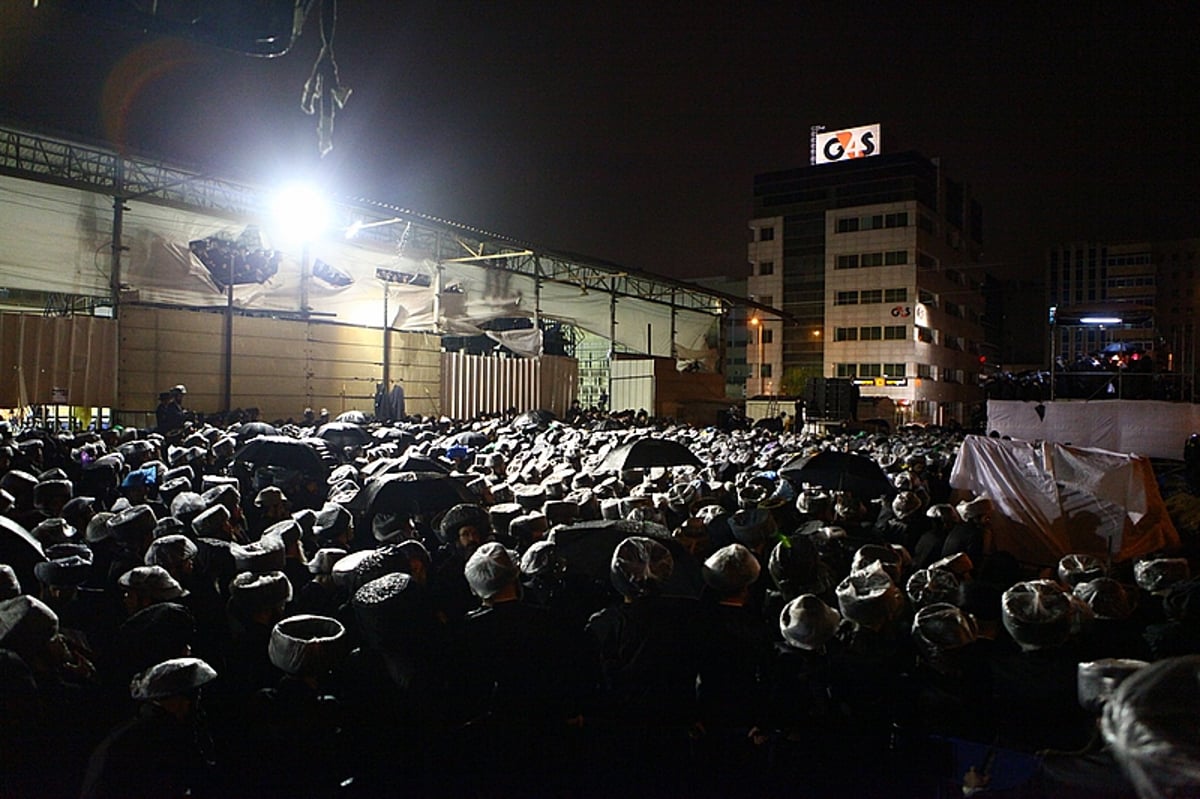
(59, 239)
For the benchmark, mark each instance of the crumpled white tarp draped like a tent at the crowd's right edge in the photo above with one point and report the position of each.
(1052, 500)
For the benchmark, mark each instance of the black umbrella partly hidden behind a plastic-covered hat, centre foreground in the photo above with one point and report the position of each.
(587, 549)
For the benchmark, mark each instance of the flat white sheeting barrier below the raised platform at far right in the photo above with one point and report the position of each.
(1157, 430)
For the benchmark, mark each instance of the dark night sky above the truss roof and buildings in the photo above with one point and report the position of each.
(632, 133)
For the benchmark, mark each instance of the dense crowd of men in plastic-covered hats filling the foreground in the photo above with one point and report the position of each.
(571, 626)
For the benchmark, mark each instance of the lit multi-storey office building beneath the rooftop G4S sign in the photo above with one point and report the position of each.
(877, 265)
